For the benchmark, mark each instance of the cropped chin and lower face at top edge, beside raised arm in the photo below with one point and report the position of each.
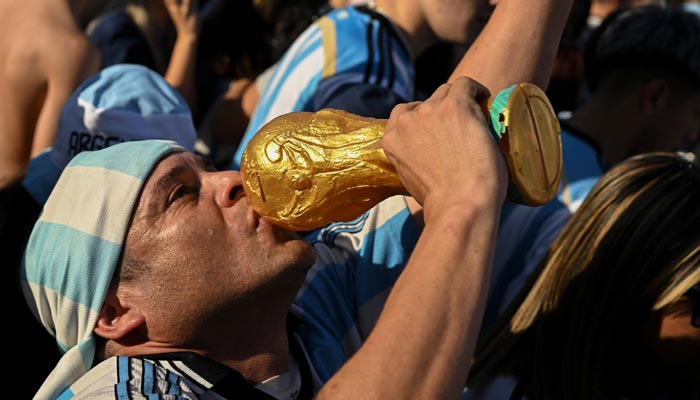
(457, 21)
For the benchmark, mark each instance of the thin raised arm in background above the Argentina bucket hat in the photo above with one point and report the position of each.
(181, 72)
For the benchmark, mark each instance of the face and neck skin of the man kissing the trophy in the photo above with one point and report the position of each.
(193, 226)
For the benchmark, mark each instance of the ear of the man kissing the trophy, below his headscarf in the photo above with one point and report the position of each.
(117, 320)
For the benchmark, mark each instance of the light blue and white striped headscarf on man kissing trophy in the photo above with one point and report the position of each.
(76, 244)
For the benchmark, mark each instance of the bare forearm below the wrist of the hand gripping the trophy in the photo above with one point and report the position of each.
(422, 344)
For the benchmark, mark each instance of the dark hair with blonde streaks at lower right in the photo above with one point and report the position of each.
(579, 326)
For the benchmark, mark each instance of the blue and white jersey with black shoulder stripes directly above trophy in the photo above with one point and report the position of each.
(348, 46)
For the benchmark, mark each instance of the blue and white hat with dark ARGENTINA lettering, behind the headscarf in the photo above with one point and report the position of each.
(121, 103)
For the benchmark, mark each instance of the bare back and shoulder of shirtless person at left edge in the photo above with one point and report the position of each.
(44, 56)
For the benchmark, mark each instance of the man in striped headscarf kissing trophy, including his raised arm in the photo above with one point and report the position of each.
(157, 278)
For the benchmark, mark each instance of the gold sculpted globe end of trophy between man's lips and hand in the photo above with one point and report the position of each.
(303, 170)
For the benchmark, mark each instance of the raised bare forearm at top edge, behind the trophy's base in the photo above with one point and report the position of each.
(517, 45)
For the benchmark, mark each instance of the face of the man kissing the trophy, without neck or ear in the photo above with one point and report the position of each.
(206, 249)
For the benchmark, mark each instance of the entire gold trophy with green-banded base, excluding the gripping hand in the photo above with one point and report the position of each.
(304, 170)
